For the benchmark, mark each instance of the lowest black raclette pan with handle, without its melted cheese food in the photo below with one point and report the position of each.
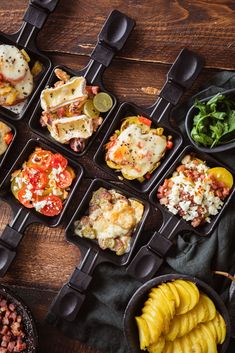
(70, 298)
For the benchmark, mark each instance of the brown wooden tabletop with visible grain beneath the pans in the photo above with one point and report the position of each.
(137, 74)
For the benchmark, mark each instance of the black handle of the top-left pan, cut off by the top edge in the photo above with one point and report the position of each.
(34, 18)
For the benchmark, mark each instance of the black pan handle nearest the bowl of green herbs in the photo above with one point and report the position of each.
(181, 76)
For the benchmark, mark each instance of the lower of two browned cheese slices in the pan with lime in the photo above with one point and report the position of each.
(65, 129)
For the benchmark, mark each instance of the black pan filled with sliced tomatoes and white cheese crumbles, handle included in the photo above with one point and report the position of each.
(39, 188)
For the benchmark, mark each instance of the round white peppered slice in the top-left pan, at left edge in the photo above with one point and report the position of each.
(13, 65)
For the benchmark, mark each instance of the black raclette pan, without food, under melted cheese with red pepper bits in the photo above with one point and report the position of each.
(181, 76)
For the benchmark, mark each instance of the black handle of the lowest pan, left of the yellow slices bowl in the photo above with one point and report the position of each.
(71, 296)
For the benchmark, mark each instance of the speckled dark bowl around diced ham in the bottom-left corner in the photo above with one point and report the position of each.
(27, 319)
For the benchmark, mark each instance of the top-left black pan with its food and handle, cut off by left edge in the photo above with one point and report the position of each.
(23, 68)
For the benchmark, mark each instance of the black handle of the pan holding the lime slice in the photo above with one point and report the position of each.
(114, 34)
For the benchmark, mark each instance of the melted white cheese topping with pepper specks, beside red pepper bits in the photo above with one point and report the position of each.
(136, 152)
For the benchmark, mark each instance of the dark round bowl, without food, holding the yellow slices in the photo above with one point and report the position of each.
(137, 302)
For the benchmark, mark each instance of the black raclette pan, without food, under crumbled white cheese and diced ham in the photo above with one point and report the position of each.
(151, 256)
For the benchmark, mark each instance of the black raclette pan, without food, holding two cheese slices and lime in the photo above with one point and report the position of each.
(114, 34)
